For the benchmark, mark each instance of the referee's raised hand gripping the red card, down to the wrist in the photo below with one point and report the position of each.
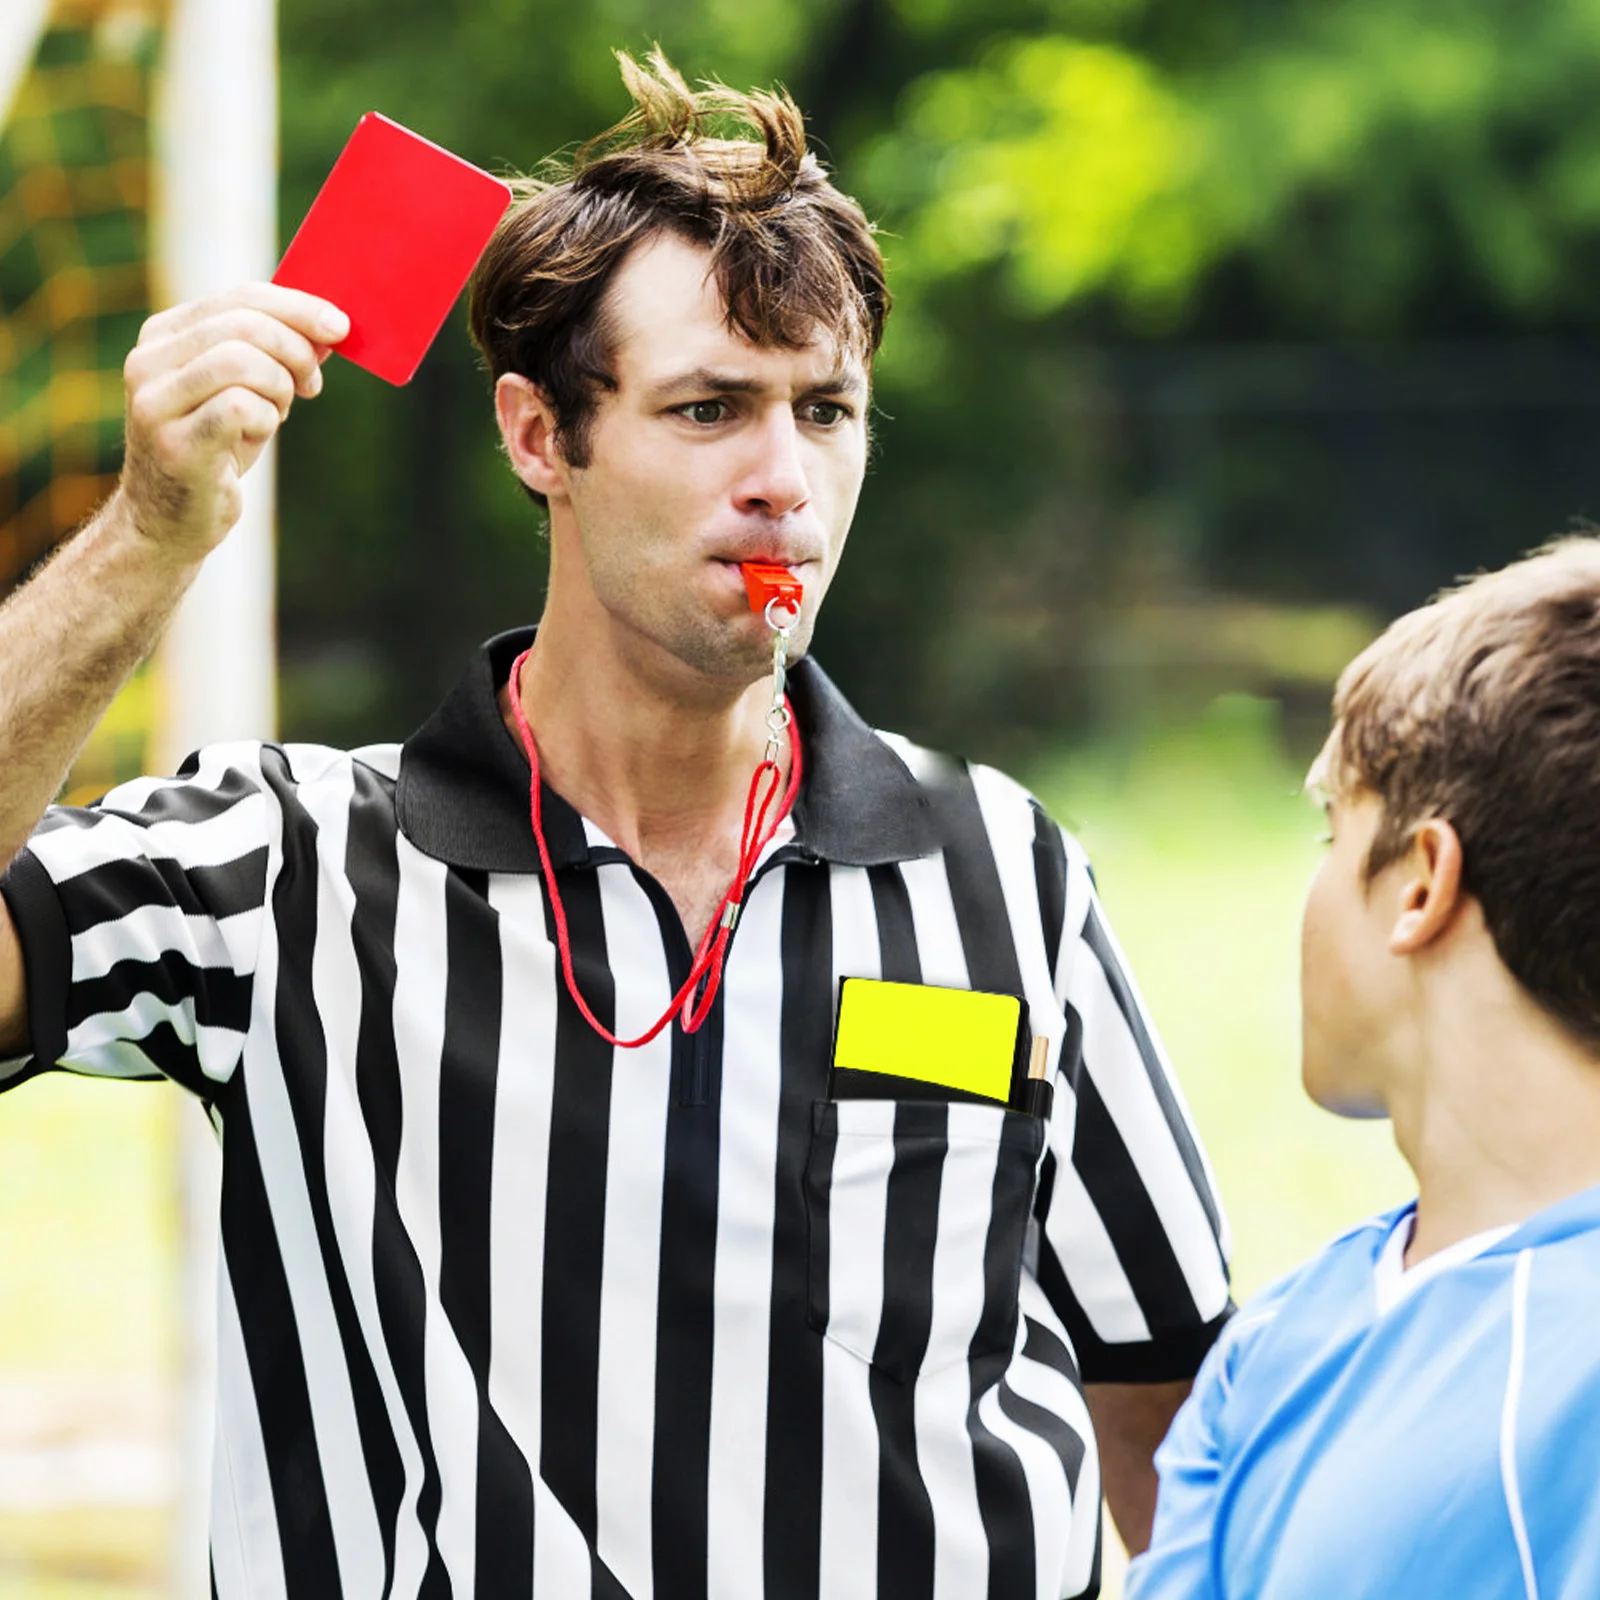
(209, 385)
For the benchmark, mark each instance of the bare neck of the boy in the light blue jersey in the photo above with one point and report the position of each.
(1503, 1118)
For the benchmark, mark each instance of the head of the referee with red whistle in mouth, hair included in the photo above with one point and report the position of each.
(682, 326)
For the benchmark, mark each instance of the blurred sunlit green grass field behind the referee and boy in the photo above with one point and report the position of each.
(1202, 849)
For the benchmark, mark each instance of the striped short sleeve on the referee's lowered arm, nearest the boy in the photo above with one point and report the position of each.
(1134, 1242)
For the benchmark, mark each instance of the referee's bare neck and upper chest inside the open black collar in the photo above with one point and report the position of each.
(663, 767)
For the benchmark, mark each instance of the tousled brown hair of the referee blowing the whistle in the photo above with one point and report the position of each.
(791, 255)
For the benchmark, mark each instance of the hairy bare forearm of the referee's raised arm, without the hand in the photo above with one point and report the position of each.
(70, 639)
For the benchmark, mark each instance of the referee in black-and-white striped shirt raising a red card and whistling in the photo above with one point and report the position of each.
(508, 1306)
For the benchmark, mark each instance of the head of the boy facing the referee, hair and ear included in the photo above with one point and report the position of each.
(1463, 788)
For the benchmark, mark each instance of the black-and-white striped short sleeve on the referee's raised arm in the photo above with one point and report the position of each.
(140, 921)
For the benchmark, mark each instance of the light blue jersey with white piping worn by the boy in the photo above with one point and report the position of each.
(1351, 1442)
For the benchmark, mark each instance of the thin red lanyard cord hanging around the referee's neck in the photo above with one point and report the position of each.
(714, 943)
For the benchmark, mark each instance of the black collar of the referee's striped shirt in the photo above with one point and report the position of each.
(463, 793)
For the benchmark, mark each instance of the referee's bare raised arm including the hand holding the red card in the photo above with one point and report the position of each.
(207, 388)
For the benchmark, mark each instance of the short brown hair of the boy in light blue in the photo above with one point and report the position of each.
(1484, 710)
